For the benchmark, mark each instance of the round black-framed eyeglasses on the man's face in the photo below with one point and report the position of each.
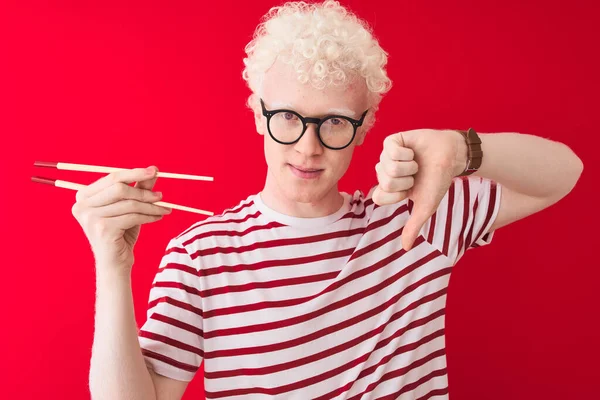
(335, 132)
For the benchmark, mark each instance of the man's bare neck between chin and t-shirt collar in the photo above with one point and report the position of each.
(274, 197)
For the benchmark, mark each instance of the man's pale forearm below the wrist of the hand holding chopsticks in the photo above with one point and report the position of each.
(117, 367)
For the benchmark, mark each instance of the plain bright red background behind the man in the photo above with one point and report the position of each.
(133, 84)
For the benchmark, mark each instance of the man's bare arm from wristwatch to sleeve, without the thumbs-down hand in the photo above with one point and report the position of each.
(534, 172)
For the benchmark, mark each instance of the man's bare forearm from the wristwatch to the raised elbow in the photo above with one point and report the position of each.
(528, 164)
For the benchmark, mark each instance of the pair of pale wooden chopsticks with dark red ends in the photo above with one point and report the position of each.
(94, 168)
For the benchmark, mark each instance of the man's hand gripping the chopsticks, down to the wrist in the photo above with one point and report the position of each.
(110, 212)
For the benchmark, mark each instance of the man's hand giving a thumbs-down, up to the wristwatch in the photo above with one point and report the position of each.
(420, 165)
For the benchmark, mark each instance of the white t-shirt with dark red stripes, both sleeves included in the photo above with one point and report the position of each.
(314, 308)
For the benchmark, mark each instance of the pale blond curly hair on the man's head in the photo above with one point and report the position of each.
(325, 43)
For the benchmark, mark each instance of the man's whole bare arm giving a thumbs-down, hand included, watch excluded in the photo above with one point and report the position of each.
(421, 164)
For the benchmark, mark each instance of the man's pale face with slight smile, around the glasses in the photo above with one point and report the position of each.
(307, 171)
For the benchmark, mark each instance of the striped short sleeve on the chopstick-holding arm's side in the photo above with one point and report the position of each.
(171, 339)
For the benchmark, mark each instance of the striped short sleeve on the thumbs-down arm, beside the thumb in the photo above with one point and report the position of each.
(464, 216)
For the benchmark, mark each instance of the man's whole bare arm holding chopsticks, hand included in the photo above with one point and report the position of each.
(111, 213)
